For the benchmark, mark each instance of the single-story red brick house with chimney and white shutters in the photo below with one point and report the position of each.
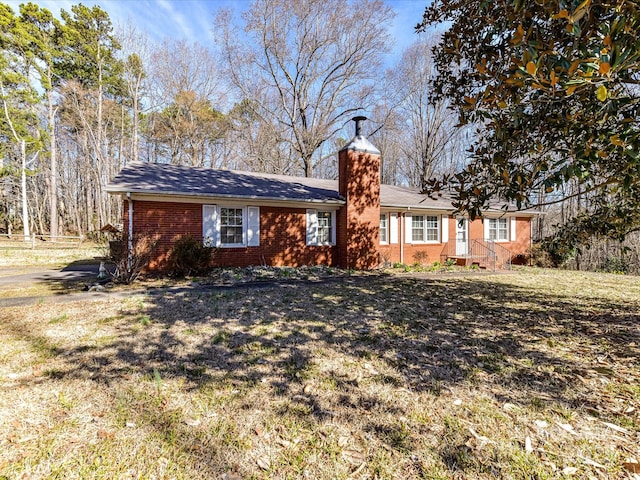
(353, 222)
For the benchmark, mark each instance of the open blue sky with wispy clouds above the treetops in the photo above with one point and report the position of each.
(192, 20)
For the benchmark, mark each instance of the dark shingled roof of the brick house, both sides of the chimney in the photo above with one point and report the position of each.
(166, 179)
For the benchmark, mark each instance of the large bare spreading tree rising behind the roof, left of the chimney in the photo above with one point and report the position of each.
(308, 65)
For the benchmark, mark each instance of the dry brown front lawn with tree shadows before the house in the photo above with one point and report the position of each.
(528, 375)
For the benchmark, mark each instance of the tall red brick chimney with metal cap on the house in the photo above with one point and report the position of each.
(359, 220)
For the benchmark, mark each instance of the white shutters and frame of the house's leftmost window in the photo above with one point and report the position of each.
(212, 228)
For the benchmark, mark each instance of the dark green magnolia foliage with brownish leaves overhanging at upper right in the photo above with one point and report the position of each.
(553, 86)
